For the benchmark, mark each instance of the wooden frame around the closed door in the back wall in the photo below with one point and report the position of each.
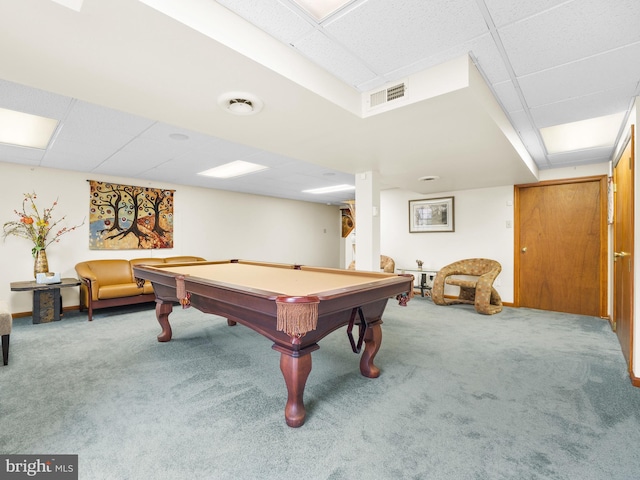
(604, 236)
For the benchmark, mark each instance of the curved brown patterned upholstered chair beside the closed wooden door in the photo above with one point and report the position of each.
(476, 287)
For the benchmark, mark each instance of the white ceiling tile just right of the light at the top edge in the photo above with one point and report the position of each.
(390, 38)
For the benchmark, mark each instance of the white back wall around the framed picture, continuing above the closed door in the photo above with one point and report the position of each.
(481, 227)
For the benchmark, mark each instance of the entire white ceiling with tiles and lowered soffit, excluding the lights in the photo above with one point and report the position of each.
(129, 80)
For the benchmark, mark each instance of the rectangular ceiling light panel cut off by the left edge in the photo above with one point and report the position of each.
(25, 130)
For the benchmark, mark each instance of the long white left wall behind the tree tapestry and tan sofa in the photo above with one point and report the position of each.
(213, 224)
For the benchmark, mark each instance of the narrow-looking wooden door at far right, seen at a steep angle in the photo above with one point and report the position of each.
(623, 250)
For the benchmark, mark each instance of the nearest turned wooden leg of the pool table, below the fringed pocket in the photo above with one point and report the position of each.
(295, 371)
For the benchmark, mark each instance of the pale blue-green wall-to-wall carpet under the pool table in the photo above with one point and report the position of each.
(524, 394)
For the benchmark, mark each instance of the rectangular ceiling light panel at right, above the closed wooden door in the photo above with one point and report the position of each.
(592, 133)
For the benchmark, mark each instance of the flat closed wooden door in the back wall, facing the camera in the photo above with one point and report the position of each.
(561, 246)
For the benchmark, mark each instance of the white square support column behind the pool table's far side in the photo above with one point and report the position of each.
(368, 221)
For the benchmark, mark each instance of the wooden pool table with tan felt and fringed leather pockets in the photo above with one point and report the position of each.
(294, 306)
